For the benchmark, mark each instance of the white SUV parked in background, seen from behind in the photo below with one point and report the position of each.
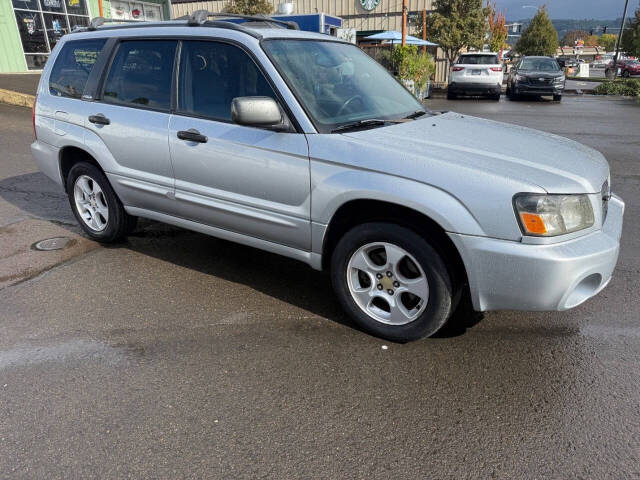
(476, 74)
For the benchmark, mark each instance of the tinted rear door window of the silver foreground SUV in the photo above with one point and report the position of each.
(140, 74)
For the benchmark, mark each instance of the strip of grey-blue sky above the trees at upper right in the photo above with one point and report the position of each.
(575, 9)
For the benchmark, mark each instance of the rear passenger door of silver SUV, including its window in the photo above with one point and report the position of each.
(128, 122)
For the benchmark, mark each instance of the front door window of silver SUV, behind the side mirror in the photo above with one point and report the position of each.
(212, 74)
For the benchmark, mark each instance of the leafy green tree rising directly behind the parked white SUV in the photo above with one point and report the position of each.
(457, 24)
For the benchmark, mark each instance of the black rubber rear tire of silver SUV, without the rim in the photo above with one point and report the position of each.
(117, 222)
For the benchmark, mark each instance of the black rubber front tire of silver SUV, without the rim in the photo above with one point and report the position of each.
(439, 304)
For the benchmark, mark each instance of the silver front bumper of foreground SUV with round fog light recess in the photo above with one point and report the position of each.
(506, 275)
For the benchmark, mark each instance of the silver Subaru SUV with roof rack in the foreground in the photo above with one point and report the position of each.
(301, 144)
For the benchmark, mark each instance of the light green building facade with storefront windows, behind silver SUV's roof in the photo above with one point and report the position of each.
(29, 29)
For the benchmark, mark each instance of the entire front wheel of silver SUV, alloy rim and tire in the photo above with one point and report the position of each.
(420, 315)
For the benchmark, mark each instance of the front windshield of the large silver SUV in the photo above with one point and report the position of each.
(338, 83)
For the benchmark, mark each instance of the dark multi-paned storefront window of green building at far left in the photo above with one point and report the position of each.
(42, 23)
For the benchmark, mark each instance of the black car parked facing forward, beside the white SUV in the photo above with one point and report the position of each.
(536, 76)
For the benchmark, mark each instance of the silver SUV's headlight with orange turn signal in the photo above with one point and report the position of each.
(550, 215)
